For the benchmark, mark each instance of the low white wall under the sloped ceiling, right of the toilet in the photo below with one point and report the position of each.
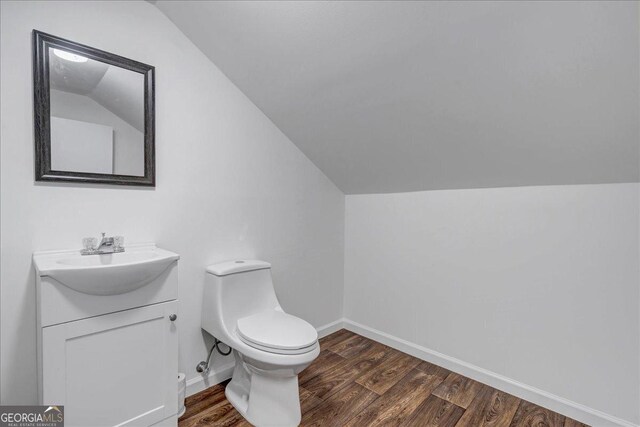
(538, 284)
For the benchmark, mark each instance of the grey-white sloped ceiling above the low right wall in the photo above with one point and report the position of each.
(402, 96)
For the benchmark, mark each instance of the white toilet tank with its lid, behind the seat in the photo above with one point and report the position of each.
(233, 290)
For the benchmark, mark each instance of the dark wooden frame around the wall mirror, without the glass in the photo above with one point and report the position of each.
(42, 118)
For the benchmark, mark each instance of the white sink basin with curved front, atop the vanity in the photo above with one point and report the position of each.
(108, 274)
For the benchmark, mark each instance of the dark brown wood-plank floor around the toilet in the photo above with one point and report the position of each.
(359, 382)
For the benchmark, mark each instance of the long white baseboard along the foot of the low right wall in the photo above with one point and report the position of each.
(539, 397)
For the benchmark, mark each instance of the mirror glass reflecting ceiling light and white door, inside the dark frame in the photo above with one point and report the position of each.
(97, 116)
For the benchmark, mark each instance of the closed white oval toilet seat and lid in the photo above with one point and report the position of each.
(277, 332)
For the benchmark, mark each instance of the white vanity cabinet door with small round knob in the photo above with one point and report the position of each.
(115, 369)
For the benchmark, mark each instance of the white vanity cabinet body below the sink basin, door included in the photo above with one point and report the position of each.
(110, 359)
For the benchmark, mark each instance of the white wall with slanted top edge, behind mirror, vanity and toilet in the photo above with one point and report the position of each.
(229, 183)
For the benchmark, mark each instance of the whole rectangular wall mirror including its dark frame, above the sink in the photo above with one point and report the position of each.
(94, 114)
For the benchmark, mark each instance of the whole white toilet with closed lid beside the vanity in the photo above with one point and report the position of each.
(271, 347)
